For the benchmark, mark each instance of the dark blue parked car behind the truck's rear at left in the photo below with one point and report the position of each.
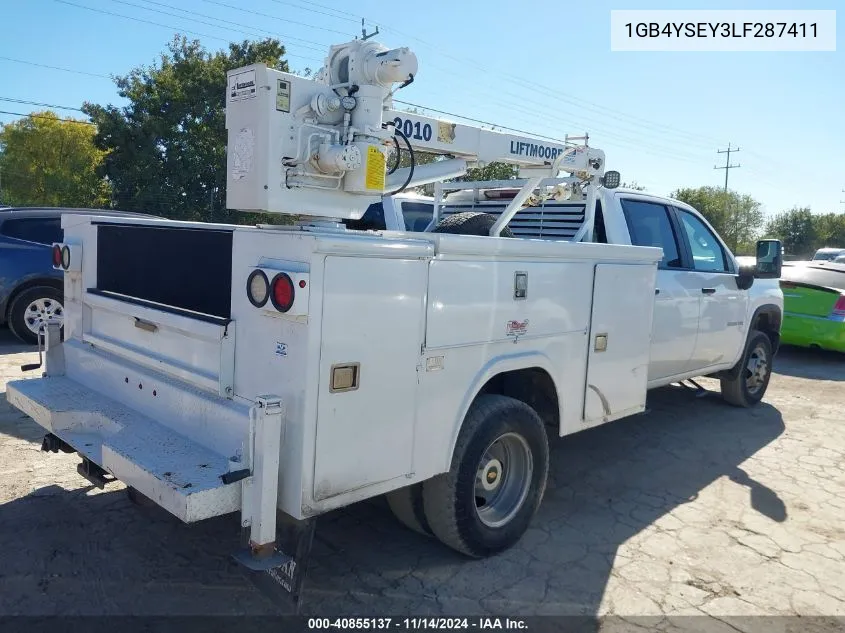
(31, 291)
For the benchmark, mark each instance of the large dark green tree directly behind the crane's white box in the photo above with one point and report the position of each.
(167, 147)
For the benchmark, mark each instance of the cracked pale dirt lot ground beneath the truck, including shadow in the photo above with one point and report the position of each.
(693, 508)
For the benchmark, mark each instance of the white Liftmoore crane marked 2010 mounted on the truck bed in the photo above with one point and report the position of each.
(318, 147)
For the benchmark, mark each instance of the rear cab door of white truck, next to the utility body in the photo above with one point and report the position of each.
(676, 303)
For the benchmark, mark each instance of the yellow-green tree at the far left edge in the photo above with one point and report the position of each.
(47, 161)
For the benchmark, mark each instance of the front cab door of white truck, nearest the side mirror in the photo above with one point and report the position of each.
(721, 323)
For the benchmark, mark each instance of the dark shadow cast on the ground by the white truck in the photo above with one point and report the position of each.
(72, 551)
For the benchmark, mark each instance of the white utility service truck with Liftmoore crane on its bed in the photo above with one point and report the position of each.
(280, 372)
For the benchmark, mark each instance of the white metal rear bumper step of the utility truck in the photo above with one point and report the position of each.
(175, 472)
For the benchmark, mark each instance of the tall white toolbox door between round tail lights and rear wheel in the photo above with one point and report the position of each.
(372, 324)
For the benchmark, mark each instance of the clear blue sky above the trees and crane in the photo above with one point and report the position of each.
(544, 66)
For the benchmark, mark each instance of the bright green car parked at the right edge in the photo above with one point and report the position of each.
(814, 304)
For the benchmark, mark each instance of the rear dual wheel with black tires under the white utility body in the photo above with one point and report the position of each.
(487, 500)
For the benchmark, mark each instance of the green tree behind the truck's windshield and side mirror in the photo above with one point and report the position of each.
(738, 218)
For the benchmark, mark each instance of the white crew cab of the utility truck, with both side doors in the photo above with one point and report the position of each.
(706, 304)
